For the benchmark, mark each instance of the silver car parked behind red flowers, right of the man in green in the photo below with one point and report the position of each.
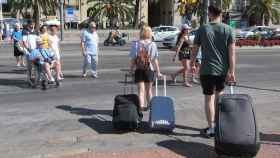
(251, 32)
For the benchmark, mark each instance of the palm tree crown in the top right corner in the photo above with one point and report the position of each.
(264, 11)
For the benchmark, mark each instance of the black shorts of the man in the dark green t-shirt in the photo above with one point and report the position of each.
(211, 84)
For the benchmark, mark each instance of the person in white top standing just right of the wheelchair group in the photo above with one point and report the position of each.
(54, 47)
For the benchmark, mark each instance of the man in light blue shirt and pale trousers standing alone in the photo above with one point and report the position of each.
(89, 45)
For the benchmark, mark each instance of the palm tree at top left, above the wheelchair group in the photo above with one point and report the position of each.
(48, 7)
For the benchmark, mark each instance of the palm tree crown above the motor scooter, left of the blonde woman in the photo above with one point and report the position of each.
(114, 11)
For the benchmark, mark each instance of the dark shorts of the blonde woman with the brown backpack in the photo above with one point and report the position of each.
(144, 76)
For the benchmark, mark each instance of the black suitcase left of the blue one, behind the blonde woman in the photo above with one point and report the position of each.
(126, 114)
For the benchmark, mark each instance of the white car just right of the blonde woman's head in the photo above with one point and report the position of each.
(161, 32)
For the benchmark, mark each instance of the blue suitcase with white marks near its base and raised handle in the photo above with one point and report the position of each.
(162, 114)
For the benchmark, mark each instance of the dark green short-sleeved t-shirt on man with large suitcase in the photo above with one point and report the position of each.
(214, 39)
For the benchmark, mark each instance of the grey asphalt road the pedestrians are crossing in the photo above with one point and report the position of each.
(77, 115)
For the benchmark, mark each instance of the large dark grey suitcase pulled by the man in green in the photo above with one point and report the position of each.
(236, 132)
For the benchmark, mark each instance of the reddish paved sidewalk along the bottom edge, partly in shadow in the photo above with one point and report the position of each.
(270, 148)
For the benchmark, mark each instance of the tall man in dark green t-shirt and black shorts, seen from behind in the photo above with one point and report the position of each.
(217, 44)
